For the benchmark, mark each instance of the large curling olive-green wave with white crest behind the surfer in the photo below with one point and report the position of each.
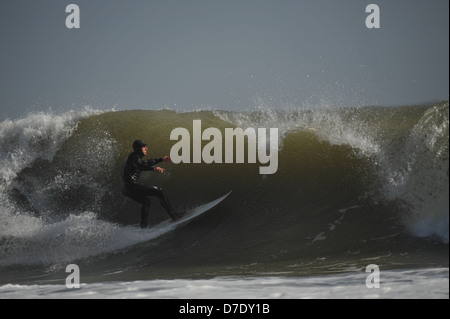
(353, 185)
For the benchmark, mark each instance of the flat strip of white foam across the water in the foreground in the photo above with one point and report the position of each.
(398, 284)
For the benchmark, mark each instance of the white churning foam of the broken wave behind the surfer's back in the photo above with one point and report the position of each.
(42, 239)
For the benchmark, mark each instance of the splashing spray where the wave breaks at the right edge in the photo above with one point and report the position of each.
(418, 174)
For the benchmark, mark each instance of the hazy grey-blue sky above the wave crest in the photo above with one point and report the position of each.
(222, 54)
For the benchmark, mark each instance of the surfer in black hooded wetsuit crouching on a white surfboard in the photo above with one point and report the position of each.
(140, 192)
